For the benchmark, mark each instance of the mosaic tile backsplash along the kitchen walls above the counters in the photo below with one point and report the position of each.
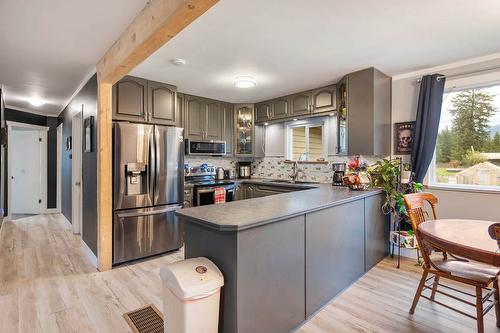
(272, 167)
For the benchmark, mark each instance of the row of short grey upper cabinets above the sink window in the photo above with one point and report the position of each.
(311, 102)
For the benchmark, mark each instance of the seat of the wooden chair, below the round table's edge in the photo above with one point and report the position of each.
(470, 270)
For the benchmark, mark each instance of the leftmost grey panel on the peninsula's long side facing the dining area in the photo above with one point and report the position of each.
(271, 277)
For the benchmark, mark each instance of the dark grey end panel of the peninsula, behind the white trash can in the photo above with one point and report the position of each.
(221, 248)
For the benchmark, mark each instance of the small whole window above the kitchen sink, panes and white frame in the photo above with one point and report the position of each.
(307, 140)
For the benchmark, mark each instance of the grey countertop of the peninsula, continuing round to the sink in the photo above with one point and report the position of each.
(249, 213)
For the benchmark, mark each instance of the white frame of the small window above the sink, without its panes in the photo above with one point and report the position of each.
(307, 123)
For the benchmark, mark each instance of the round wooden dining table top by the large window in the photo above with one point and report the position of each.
(464, 238)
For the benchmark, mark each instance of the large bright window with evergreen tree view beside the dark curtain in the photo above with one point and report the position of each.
(468, 144)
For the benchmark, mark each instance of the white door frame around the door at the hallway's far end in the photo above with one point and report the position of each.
(43, 164)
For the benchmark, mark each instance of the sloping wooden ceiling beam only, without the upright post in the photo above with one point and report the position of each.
(157, 23)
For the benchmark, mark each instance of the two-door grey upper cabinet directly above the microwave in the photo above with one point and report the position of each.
(204, 118)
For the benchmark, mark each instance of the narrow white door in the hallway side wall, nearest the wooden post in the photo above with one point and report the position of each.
(77, 172)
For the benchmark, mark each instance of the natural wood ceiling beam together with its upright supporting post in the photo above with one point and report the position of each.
(157, 23)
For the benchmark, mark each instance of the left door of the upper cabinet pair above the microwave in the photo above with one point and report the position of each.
(195, 118)
